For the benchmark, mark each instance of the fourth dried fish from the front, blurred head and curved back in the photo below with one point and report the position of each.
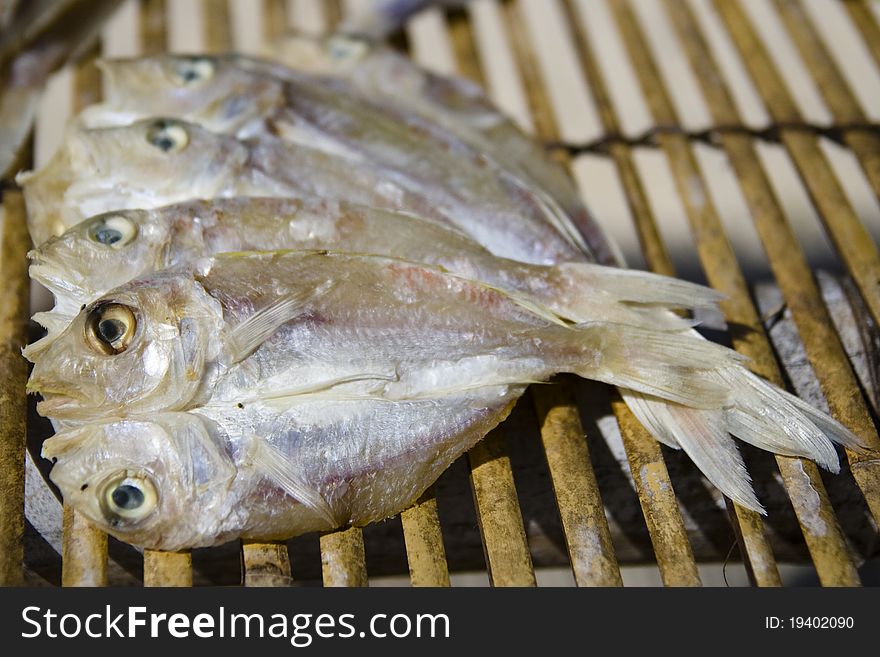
(411, 150)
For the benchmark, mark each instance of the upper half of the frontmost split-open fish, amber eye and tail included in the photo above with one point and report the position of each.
(268, 331)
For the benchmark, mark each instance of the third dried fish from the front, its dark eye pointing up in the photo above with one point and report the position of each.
(161, 161)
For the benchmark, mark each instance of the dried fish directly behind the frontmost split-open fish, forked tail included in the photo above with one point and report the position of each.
(111, 249)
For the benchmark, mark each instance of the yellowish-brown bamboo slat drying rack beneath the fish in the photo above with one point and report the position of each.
(560, 432)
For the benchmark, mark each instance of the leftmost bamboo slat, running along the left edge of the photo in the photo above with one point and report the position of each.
(14, 244)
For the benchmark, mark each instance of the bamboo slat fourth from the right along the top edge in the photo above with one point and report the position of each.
(821, 342)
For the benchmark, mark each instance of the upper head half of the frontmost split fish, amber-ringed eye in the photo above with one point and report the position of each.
(142, 347)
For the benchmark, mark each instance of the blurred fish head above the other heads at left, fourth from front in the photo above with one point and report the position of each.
(212, 91)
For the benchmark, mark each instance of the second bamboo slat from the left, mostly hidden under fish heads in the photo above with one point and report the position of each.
(83, 547)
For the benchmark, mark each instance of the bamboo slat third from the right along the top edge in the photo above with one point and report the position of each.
(850, 238)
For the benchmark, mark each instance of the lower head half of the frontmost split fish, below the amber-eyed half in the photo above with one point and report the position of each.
(162, 483)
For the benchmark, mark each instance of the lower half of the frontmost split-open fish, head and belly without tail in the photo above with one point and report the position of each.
(213, 475)
